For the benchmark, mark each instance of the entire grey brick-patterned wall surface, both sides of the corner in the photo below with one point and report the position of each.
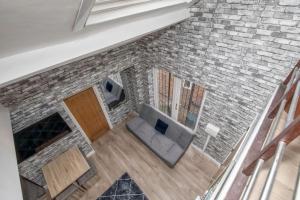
(237, 49)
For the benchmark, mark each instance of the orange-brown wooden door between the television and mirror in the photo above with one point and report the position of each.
(86, 109)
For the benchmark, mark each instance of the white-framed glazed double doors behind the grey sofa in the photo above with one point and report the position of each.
(180, 99)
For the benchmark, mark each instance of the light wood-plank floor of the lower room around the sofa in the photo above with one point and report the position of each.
(119, 151)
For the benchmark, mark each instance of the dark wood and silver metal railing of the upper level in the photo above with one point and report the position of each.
(276, 147)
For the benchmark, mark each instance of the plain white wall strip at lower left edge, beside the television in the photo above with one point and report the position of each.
(10, 187)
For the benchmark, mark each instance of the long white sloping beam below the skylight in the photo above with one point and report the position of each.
(20, 66)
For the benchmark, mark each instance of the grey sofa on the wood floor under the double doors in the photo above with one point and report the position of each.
(170, 146)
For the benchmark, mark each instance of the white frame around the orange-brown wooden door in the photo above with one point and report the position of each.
(74, 120)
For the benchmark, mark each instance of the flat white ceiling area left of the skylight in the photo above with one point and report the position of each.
(31, 24)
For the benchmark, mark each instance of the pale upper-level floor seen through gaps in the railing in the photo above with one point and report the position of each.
(285, 181)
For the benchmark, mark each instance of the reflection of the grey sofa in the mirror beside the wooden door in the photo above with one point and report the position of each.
(115, 96)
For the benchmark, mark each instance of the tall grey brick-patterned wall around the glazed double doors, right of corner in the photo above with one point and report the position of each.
(238, 50)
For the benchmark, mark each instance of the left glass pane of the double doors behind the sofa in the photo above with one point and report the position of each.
(165, 91)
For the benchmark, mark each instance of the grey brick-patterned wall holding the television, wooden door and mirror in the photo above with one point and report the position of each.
(35, 98)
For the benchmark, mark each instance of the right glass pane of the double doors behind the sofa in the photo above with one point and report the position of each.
(190, 104)
